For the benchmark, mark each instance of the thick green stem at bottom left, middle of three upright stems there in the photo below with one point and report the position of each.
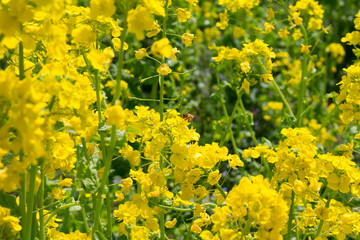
(30, 203)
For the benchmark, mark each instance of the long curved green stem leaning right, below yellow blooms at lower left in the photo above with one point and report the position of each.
(107, 163)
